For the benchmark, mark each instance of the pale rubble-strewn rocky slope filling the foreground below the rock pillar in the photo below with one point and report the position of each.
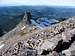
(57, 40)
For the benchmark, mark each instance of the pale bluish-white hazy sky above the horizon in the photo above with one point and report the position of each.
(37, 2)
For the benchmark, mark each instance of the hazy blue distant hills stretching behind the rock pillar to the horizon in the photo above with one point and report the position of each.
(11, 16)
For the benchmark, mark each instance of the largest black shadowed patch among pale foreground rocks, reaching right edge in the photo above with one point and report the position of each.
(64, 45)
